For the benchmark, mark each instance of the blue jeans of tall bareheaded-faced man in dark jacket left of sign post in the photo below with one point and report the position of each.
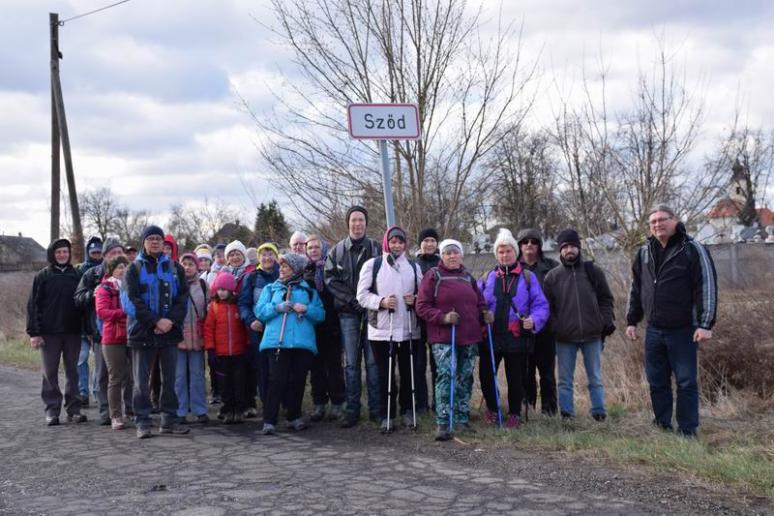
(355, 343)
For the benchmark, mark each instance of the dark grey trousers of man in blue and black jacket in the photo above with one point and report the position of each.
(142, 359)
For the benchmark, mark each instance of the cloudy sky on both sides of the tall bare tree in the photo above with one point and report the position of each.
(149, 86)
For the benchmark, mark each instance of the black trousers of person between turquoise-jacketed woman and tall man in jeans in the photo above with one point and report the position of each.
(327, 371)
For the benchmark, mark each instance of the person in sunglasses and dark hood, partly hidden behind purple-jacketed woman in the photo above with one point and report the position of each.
(543, 359)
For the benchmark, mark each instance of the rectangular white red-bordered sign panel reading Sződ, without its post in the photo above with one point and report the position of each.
(383, 121)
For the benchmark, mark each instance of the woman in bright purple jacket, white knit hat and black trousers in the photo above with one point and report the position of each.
(520, 310)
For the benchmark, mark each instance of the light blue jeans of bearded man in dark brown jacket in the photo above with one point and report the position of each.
(566, 353)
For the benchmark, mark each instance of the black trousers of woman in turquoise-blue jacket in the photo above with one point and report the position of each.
(286, 382)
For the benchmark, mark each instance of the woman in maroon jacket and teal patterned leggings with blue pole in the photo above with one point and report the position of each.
(449, 296)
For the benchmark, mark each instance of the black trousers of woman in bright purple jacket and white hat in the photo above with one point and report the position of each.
(515, 364)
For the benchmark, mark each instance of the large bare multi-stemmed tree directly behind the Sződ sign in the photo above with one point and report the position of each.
(428, 53)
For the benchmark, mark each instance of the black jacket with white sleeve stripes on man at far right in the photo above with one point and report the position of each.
(682, 292)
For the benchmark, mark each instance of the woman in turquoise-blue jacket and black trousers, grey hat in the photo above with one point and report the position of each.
(289, 308)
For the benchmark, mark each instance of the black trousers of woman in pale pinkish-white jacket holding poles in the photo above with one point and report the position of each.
(381, 350)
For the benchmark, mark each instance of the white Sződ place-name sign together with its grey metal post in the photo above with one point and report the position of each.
(384, 122)
